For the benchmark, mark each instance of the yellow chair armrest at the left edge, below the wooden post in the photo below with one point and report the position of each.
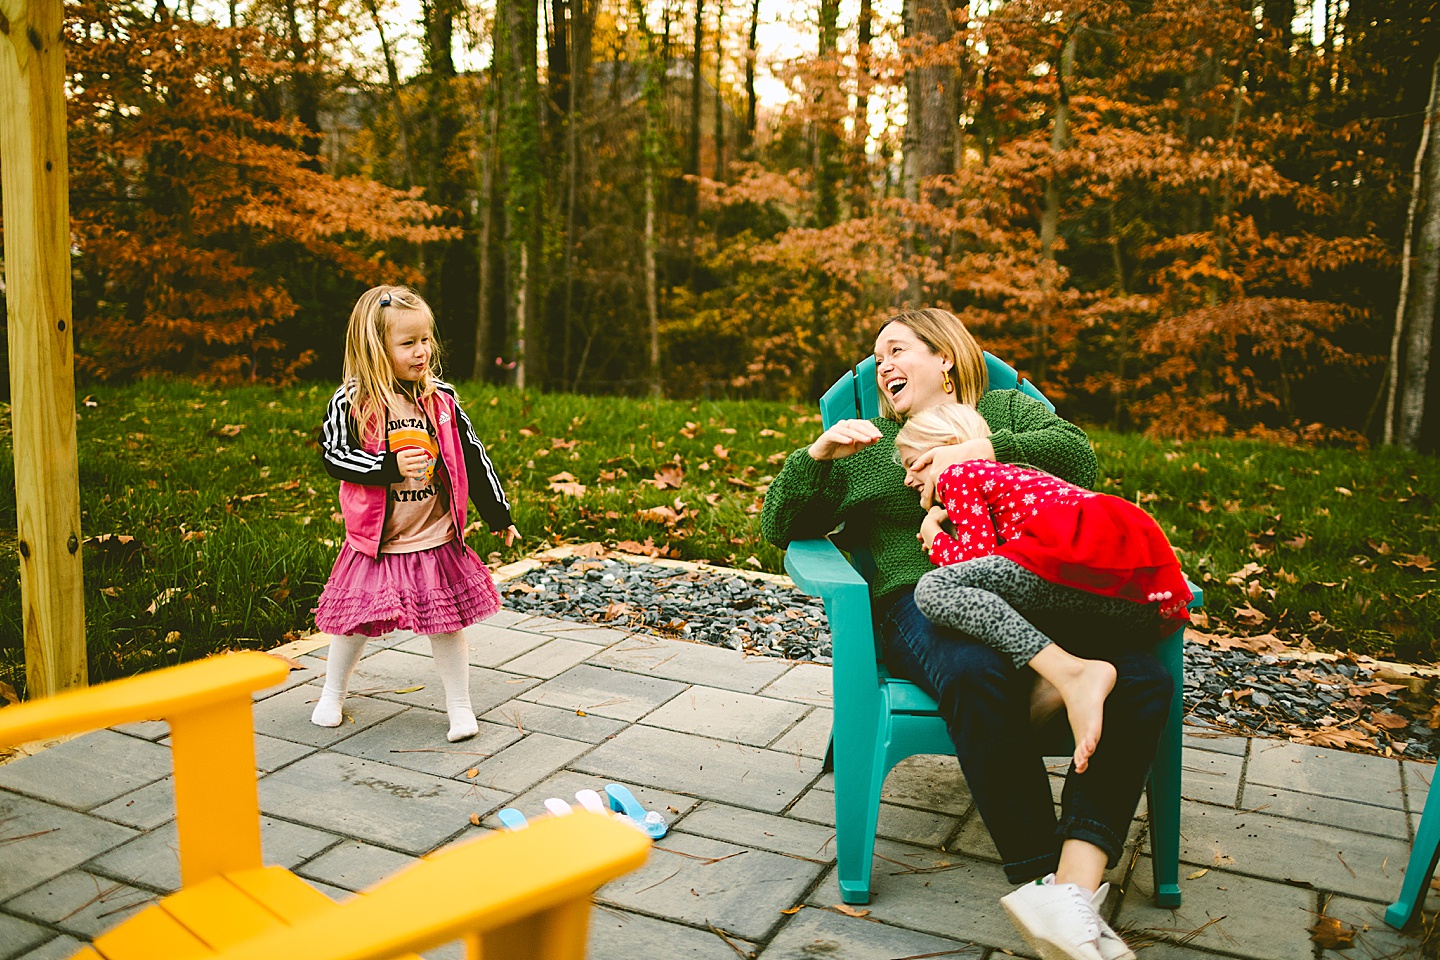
(161, 694)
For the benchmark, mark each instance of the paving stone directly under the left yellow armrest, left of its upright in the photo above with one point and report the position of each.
(86, 772)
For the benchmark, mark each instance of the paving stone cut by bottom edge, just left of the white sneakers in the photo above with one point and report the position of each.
(824, 933)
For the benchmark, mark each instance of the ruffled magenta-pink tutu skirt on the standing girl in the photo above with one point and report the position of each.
(437, 591)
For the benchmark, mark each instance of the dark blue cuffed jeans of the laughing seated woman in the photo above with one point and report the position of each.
(986, 705)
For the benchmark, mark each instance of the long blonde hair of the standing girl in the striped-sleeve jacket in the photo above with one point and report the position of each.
(368, 373)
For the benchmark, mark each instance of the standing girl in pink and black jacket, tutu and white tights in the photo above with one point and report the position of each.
(408, 461)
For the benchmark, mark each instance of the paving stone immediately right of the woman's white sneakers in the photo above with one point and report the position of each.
(1220, 913)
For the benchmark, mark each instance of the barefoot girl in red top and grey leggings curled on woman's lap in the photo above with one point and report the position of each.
(1029, 543)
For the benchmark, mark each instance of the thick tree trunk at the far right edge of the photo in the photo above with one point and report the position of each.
(1421, 283)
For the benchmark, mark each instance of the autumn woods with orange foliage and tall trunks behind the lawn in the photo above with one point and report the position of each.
(1184, 217)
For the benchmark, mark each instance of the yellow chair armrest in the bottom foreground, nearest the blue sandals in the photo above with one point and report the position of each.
(477, 887)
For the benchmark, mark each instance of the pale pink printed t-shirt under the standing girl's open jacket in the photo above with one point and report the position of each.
(420, 515)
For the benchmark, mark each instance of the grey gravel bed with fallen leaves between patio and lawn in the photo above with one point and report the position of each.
(1328, 703)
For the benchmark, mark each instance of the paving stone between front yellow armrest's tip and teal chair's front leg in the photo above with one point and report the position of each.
(742, 895)
